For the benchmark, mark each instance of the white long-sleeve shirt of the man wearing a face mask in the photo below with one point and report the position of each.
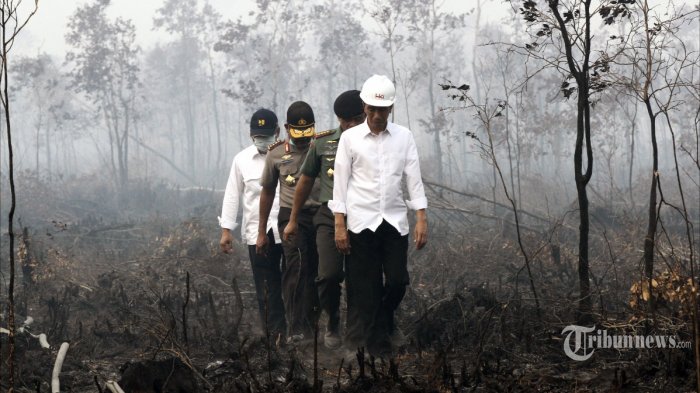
(244, 183)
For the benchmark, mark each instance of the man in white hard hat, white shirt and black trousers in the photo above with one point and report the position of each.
(370, 165)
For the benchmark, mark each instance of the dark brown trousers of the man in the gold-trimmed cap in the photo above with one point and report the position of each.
(298, 287)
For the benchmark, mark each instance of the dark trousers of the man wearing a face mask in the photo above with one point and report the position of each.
(268, 286)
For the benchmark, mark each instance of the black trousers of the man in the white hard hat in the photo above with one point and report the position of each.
(376, 283)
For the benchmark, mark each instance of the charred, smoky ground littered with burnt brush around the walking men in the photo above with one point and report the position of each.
(139, 290)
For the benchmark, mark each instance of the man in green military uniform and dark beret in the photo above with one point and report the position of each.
(319, 163)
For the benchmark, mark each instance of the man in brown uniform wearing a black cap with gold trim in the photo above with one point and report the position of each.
(283, 166)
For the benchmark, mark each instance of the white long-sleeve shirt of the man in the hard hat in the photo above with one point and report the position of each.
(368, 172)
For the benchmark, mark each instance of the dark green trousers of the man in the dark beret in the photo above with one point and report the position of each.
(330, 267)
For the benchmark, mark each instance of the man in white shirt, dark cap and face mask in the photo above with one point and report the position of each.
(244, 181)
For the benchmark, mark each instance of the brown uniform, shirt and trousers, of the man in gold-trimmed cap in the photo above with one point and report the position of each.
(283, 166)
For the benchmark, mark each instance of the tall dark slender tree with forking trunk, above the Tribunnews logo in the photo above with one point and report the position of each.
(562, 39)
